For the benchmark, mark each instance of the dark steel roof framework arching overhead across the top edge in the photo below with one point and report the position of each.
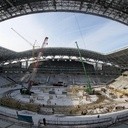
(113, 9)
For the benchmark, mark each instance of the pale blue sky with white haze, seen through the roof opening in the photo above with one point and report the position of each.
(64, 29)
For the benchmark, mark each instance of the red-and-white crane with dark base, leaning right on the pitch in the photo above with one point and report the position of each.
(27, 90)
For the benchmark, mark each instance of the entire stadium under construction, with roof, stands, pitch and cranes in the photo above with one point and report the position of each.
(64, 87)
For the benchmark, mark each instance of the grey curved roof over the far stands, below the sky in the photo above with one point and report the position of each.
(117, 58)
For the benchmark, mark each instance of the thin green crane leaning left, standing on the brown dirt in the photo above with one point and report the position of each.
(88, 88)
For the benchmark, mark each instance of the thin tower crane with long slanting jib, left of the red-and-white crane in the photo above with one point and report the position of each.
(33, 45)
